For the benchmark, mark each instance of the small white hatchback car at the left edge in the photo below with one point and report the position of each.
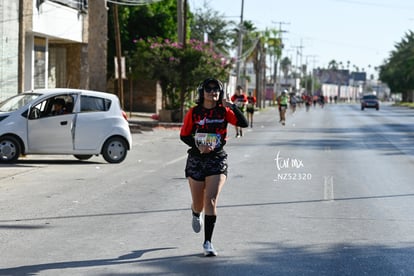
(90, 123)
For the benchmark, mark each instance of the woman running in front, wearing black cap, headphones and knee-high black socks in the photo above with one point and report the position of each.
(204, 130)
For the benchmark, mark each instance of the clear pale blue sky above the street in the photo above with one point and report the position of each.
(363, 32)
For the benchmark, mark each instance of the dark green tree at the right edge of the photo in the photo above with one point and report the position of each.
(398, 71)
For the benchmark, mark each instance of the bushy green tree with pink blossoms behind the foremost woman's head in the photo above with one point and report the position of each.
(165, 61)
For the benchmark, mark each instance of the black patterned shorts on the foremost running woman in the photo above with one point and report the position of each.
(200, 166)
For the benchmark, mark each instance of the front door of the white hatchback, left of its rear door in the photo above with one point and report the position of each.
(48, 133)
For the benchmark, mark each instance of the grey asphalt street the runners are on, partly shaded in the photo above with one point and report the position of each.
(330, 193)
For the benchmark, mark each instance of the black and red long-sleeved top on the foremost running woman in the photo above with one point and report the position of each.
(209, 126)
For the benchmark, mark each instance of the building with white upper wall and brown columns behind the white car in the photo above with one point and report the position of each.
(53, 43)
